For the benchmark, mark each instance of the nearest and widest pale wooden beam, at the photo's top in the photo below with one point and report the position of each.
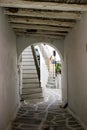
(42, 5)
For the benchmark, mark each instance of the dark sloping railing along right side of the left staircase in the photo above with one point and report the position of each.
(36, 62)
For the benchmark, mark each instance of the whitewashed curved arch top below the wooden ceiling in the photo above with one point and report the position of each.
(25, 41)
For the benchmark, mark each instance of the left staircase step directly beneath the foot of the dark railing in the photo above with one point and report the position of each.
(31, 90)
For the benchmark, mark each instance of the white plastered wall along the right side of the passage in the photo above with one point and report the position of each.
(75, 68)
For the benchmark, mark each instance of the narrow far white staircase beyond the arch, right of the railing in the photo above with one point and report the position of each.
(51, 82)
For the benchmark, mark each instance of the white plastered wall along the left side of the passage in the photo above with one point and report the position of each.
(9, 99)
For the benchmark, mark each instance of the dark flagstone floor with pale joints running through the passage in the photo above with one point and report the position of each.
(45, 116)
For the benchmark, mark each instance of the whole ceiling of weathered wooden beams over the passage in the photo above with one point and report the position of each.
(48, 18)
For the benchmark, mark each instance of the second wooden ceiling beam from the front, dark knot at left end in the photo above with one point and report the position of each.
(44, 14)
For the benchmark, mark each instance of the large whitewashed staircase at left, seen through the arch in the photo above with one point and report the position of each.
(31, 89)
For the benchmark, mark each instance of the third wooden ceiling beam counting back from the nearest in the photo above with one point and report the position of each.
(40, 21)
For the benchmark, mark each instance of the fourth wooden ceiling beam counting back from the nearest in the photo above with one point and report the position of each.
(40, 27)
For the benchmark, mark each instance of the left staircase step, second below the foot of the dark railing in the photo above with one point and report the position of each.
(32, 96)
